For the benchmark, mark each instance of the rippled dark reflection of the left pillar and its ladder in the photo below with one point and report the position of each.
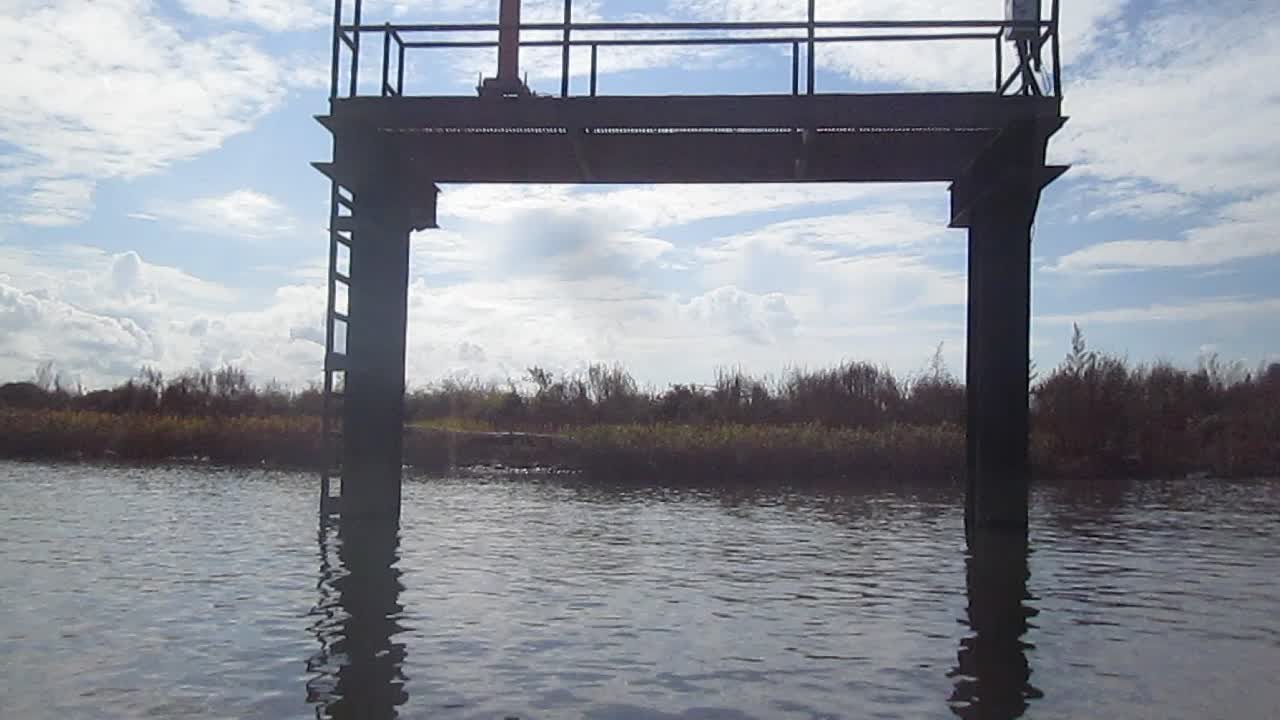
(359, 671)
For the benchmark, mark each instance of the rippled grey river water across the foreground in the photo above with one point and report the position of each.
(212, 594)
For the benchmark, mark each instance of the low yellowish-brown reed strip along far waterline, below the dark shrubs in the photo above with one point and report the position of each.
(655, 454)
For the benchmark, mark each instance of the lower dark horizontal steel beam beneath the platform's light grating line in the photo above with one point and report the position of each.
(578, 157)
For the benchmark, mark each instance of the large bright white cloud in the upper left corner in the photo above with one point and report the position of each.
(80, 110)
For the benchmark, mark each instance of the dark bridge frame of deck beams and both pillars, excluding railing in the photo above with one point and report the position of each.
(392, 152)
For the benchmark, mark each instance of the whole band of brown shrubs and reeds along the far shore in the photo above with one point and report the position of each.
(1092, 416)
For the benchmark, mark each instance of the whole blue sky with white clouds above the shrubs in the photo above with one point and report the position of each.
(159, 207)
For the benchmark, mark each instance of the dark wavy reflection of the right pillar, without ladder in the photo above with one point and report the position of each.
(993, 675)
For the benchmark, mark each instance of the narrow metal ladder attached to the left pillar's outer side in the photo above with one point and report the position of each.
(332, 444)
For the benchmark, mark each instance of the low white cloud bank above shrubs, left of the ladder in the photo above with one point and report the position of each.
(102, 317)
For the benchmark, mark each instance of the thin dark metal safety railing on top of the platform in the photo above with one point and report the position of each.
(1028, 40)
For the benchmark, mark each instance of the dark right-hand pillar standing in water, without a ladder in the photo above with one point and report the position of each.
(999, 349)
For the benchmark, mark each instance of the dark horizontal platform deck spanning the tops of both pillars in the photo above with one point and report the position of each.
(892, 138)
